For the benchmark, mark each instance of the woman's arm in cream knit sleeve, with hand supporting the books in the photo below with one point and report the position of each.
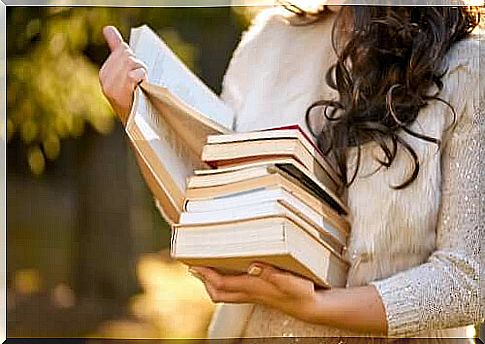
(443, 292)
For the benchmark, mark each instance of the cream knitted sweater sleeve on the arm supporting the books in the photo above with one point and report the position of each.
(444, 292)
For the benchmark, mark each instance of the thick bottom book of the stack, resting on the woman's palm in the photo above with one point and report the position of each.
(278, 241)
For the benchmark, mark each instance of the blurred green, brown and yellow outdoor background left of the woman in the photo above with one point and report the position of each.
(87, 250)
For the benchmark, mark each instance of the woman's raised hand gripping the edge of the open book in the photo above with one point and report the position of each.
(120, 74)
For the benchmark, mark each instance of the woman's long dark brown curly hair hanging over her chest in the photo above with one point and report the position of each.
(389, 58)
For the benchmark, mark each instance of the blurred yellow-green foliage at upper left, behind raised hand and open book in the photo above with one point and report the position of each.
(54, 55)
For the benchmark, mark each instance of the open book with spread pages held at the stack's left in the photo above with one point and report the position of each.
(168, 129)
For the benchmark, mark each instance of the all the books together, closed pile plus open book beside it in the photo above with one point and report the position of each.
(233, 198)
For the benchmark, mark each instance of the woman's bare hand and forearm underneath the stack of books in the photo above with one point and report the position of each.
(357, 309)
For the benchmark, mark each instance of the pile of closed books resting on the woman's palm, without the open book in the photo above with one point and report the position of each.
(260, 202)
